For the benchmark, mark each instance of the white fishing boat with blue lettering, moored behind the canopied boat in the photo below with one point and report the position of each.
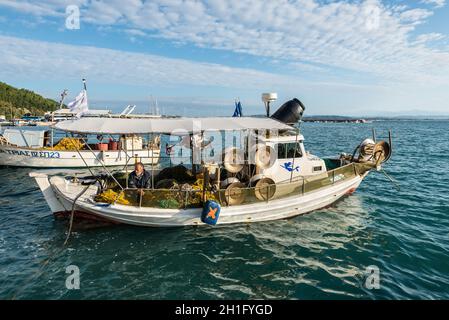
(43, 148)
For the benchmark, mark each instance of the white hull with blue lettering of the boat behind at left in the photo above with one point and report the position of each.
(34, 158)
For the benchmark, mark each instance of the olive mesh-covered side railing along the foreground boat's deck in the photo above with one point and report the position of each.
(184, 197)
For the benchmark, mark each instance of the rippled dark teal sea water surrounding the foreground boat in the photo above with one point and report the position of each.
(320, 255)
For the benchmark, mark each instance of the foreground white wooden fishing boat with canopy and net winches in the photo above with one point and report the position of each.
(254, 169)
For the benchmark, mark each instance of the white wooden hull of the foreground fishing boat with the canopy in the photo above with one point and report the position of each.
(60, 195)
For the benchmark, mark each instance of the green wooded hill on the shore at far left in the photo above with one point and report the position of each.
(17, 102)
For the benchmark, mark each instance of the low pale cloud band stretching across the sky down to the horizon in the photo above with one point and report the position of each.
(46, 62)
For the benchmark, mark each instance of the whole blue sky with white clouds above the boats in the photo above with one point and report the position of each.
(368, 57)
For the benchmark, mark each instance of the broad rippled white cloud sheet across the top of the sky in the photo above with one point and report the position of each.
(367, 36)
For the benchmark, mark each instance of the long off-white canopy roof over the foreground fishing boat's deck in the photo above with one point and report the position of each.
(168, 125)
